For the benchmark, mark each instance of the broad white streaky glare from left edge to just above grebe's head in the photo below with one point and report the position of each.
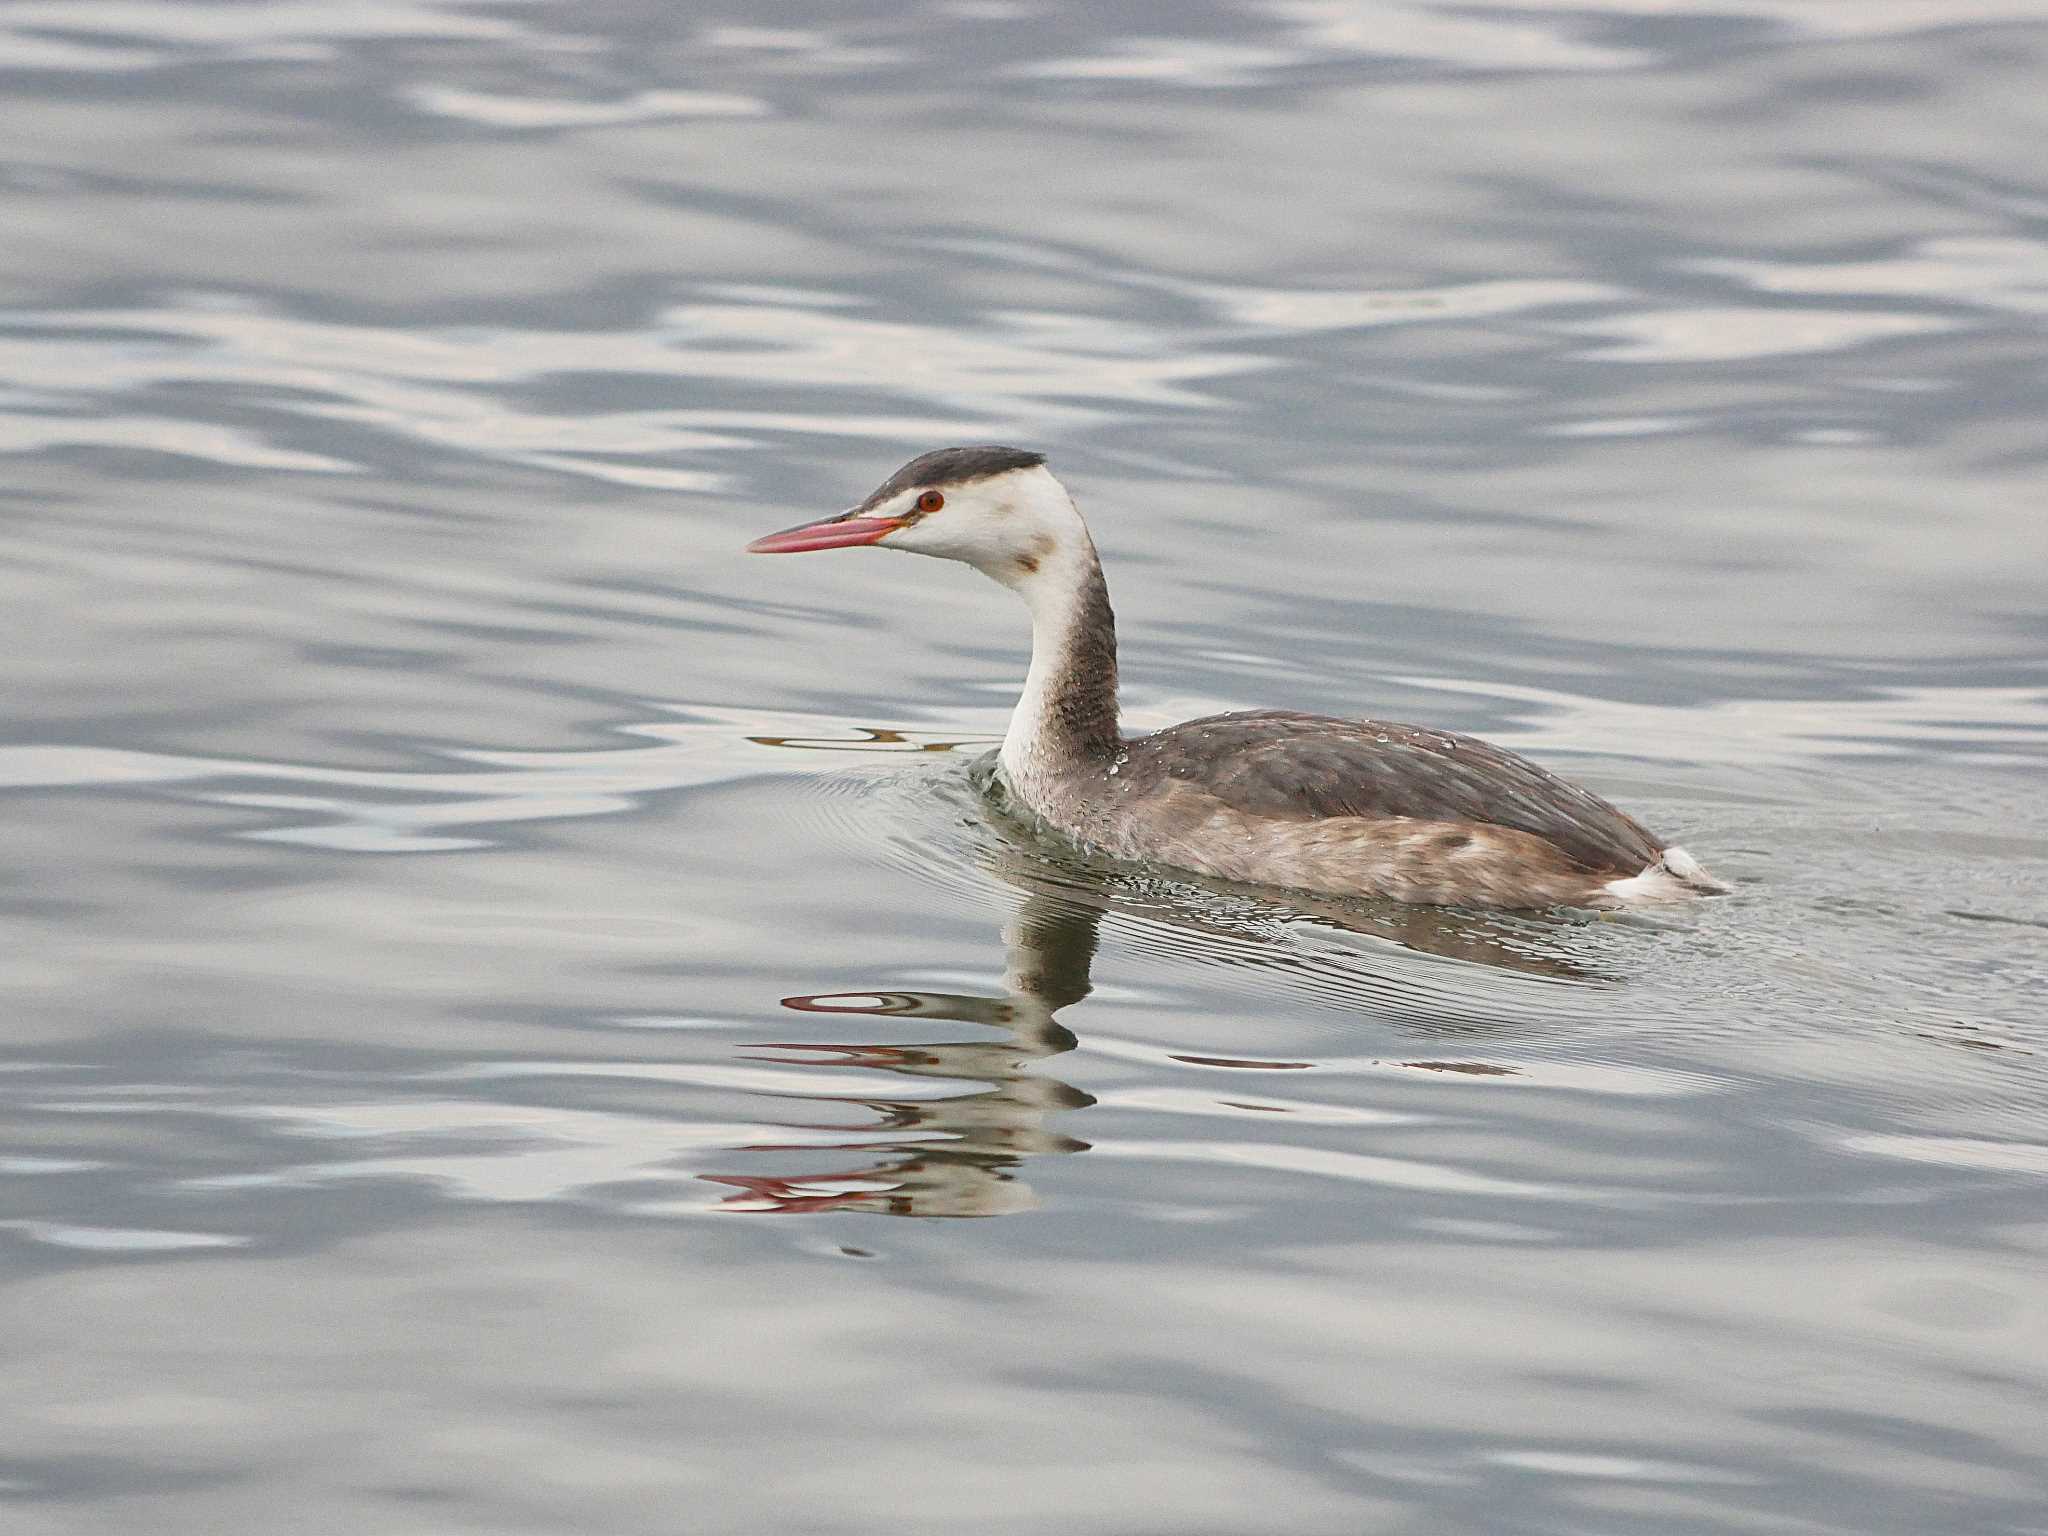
(456, 388)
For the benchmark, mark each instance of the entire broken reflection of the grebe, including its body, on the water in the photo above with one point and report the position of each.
(959, 1154)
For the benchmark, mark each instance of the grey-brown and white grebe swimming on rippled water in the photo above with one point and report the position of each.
(1265, 798)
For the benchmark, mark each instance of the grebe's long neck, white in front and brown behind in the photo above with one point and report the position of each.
(1066, 718)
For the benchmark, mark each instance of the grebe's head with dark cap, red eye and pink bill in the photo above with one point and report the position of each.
(994, 509)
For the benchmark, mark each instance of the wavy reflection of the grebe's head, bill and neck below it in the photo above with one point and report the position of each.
(957, 1154)
